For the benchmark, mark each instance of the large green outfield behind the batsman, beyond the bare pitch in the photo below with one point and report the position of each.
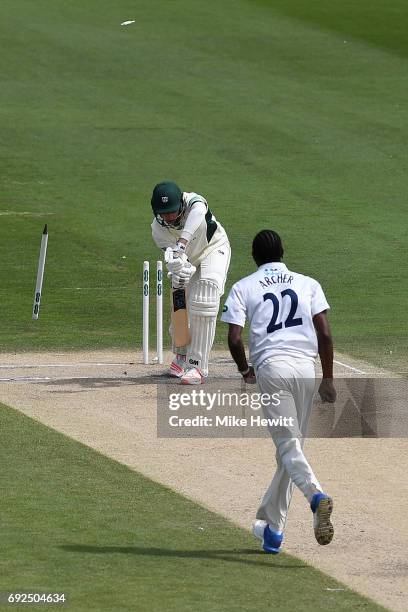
(283, 113)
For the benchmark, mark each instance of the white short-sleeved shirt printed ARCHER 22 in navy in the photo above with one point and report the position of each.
(279, 305)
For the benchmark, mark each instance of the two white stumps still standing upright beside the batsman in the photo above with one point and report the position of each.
(159, 311)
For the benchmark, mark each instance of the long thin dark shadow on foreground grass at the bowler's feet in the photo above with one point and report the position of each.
(229, 555)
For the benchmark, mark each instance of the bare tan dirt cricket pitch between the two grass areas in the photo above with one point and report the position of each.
(107, 400)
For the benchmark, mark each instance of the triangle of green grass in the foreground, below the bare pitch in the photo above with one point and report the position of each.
(76, 522)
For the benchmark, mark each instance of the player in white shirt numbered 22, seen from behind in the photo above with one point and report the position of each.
(287, 314)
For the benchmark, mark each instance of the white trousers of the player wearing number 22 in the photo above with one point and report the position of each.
(294, 379)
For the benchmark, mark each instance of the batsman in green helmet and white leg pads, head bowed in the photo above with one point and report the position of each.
(198, 256)
